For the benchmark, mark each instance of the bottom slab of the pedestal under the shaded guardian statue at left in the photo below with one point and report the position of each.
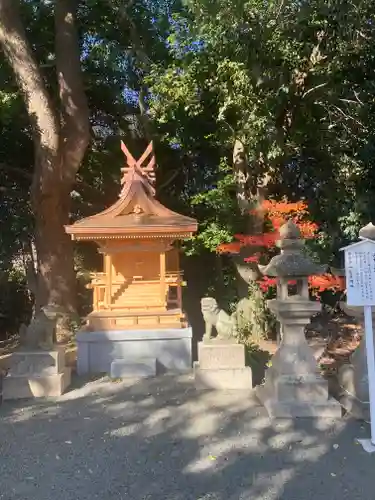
(23, 386)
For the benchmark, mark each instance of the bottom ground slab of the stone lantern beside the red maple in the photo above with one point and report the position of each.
(298, 409)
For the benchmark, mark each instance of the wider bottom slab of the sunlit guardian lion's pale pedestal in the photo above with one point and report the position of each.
(223, 379)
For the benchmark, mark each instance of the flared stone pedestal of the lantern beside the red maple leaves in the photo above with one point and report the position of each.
(293, 385)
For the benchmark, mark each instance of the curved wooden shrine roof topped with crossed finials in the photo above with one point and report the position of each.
(137, 213)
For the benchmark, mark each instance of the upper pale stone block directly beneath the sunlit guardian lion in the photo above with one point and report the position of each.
(221, 354)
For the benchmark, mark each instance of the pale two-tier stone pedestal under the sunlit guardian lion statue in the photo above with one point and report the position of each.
(221, 365)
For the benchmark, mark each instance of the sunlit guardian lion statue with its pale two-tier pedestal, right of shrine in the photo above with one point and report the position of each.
(221, 360)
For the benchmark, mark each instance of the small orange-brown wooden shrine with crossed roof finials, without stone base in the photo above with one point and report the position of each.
(140, 286)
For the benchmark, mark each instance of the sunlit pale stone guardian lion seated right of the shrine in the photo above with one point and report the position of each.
(214, 317)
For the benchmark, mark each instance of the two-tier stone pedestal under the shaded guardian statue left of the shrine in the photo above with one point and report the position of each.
(35, 374)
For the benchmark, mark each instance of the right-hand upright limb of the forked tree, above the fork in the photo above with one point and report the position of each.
(75, 134)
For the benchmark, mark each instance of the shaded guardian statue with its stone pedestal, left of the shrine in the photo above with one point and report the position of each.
(37, 368)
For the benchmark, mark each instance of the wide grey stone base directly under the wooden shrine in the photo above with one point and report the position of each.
(97, 350)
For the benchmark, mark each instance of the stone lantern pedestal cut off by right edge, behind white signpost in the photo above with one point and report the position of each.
(353, 377)
